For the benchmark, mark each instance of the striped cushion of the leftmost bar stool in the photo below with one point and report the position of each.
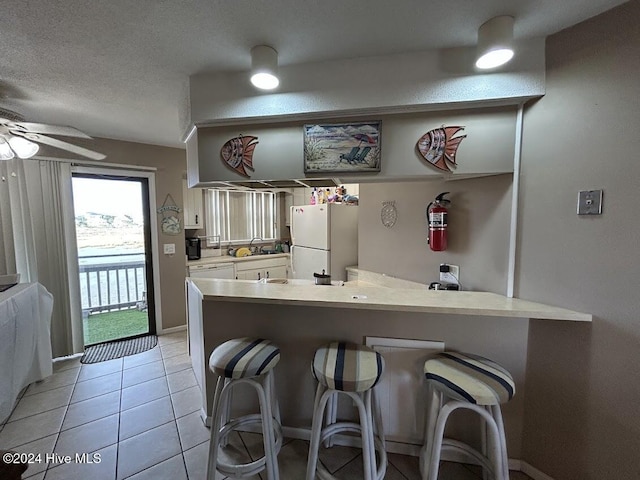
(244, 357)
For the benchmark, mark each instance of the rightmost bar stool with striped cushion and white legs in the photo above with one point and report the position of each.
(461, 380)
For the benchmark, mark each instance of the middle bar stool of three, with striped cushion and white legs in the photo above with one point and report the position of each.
(352, 370)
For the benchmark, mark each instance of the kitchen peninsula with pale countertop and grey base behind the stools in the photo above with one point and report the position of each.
(299, 318)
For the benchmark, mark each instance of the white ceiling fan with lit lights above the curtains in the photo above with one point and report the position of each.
(20, 139)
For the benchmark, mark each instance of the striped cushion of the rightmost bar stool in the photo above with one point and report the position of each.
(471, 377)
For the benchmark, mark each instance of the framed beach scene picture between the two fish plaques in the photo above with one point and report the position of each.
(342, 148)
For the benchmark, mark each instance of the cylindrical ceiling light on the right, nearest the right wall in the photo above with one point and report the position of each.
(495, 42)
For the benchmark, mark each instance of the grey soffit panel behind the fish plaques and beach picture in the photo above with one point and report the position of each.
(278, 153)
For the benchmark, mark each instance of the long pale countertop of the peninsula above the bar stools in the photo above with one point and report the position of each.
(364, 295)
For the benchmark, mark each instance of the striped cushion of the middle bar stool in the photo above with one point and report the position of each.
(347, 367)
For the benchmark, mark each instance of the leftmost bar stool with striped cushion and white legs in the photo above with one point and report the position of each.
(251, 361)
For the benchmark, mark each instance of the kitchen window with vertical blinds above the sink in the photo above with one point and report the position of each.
(239, 216)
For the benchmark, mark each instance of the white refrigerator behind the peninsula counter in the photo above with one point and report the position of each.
(324, 237)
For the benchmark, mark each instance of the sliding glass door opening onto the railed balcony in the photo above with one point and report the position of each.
(112, 219)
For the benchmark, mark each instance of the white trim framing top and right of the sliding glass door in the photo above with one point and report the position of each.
(153, 223)
